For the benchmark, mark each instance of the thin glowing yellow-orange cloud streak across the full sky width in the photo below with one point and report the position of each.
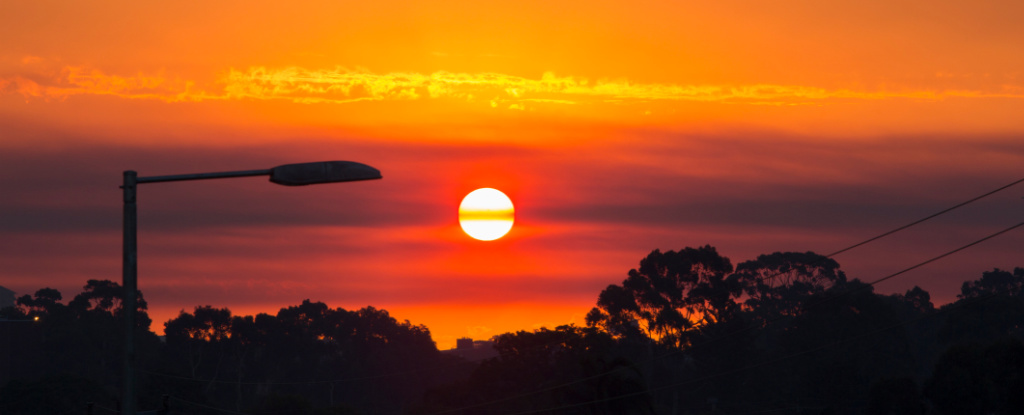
(342, 86)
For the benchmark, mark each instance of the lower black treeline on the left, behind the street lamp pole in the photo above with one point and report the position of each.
(308, 359)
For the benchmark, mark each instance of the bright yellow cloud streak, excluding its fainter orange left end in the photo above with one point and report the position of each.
(342, 86)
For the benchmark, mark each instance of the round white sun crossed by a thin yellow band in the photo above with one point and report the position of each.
(487, 215)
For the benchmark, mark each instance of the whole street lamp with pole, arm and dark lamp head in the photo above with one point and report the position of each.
(289, 175)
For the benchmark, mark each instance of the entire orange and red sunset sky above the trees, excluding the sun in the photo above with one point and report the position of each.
(616, 129)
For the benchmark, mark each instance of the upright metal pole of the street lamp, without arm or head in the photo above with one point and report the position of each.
(131, 282)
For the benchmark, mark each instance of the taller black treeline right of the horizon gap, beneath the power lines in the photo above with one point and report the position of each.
(690, 334)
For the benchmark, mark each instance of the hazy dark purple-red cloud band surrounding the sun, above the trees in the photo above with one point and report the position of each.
(586, 215)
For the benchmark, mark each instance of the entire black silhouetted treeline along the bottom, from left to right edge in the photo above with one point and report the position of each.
(686, 334)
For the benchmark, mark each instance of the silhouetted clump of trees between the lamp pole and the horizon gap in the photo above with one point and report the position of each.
(327, 357)
